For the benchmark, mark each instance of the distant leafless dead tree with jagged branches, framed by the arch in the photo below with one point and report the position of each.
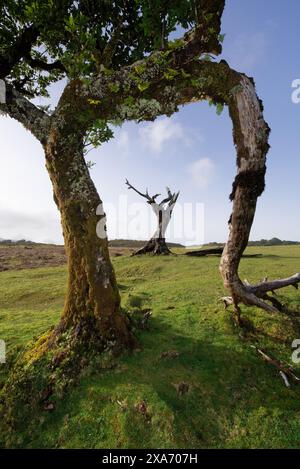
(163, 211)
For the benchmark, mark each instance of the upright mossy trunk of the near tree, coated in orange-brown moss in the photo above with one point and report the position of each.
(92, 305)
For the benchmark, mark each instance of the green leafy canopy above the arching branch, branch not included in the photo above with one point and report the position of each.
(43, 41)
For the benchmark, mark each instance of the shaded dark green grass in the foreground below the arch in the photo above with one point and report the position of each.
(138, 403)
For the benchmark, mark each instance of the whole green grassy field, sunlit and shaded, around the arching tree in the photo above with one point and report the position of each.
(234, 399)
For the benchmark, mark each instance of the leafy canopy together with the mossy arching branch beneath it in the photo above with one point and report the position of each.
(117, 53)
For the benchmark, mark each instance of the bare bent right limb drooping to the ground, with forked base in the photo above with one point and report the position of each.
(250, 133)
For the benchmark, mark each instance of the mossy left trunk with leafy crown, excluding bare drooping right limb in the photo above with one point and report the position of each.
(119, 64)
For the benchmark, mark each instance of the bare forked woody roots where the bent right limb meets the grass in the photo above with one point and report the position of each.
(257, 295)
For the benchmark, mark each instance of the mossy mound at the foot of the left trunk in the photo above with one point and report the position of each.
(43, 374)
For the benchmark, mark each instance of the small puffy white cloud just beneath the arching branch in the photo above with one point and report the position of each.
(156, 134)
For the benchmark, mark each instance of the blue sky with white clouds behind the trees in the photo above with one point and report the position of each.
(192, 151)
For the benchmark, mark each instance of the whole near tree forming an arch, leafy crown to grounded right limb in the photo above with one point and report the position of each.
(120, 64)
